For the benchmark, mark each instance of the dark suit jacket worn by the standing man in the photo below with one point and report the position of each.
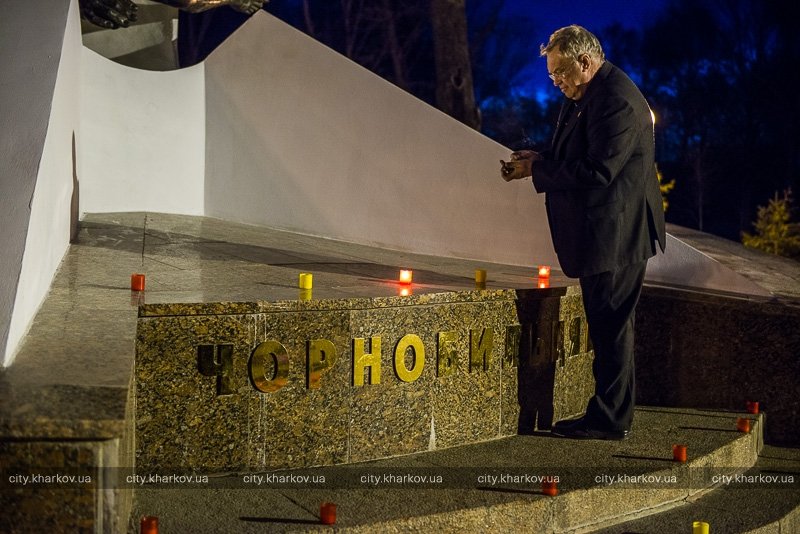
(602, 196)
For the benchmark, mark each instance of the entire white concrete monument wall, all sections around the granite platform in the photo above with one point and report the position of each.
(275, 129)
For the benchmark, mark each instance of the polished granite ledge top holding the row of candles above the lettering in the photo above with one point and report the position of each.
(69, 386)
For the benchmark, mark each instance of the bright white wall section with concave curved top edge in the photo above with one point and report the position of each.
(142, 138)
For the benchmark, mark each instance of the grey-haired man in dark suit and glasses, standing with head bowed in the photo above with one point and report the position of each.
(605, 213)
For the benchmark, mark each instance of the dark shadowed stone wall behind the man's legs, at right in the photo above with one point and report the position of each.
(696, 350)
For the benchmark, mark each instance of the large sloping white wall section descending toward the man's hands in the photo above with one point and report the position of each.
(301, 138)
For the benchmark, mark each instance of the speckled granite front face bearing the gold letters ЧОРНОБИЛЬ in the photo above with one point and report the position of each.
(182, 422)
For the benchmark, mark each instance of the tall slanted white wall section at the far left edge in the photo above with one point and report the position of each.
(40, 44)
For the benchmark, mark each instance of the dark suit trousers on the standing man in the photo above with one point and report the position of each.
(609, 300)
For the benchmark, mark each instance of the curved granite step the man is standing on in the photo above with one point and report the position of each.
(599, 482)
